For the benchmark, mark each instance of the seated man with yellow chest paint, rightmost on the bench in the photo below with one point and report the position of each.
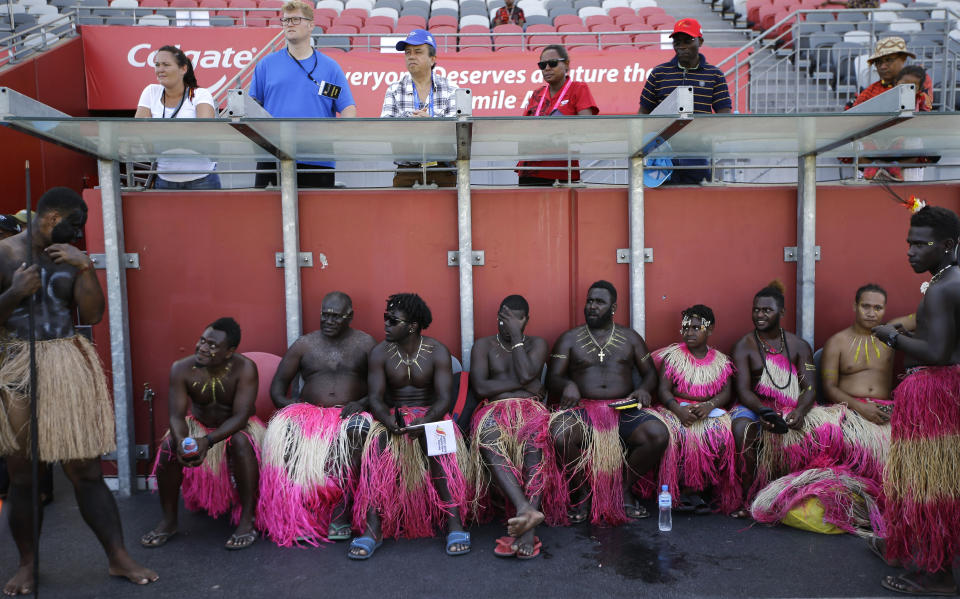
(857, 371)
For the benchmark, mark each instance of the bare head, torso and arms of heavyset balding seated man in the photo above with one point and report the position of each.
(331, 361)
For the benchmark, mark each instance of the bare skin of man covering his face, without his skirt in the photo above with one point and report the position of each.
(499, 373)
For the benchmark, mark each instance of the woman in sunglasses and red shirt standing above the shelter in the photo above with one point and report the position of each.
(560, 96)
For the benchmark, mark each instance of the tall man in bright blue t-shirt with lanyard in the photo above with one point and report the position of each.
(300, 82)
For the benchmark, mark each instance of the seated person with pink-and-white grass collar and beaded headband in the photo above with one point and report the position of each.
(694, 391)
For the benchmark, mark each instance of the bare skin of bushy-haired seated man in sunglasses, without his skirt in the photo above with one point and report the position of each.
(427, 382)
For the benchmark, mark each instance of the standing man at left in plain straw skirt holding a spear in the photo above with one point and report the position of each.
(75, 408)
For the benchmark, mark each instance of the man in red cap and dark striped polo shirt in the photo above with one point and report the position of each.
(688, 67)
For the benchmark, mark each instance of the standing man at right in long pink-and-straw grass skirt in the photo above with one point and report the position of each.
(921, 480)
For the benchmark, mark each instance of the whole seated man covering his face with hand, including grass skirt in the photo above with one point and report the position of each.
(508, 429)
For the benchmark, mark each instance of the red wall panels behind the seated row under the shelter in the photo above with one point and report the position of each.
(208, 255)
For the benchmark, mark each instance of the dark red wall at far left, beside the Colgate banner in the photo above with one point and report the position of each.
(56, 78)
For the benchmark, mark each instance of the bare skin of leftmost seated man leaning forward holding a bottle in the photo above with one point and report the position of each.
(219, 387)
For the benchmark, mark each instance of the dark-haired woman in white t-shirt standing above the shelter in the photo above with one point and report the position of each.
(177, 96)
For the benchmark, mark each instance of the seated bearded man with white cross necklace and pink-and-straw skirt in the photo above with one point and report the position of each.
(591, 367)
